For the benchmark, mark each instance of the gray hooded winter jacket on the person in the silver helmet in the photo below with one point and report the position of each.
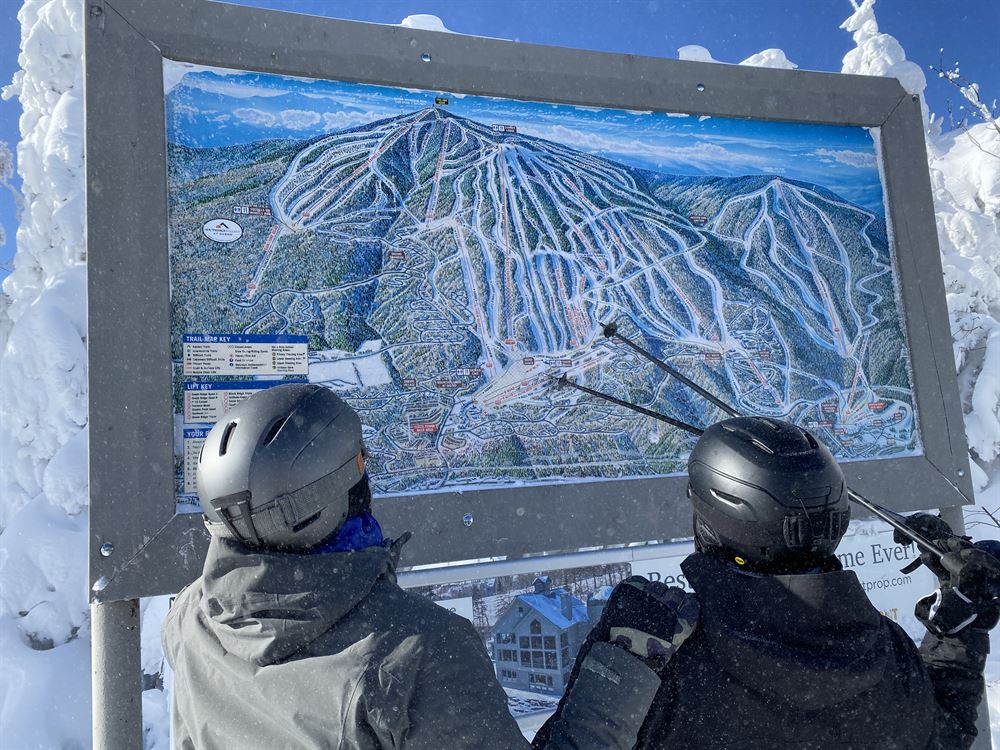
(273, 650)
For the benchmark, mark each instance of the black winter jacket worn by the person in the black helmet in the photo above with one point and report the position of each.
(806, 661)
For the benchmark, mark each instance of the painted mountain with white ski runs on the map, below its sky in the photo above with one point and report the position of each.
(447, 271)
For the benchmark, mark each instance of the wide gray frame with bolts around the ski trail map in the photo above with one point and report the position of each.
(140, 547)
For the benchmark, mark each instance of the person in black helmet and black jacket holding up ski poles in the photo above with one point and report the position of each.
(789, 652)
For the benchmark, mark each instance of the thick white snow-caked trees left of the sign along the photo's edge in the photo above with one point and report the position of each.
(43, 389)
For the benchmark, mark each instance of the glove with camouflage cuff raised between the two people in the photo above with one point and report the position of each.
(650, 619)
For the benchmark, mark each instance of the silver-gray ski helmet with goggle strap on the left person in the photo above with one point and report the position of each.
(275, 471)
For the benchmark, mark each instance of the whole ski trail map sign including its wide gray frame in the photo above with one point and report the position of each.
(436, 226)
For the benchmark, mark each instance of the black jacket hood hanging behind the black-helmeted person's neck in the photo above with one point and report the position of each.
(810, 640)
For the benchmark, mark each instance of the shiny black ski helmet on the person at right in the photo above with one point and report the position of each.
(767, 492)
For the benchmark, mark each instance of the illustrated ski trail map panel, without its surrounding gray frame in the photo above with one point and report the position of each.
(440, 259)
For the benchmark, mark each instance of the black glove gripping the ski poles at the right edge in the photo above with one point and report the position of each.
(970, 590)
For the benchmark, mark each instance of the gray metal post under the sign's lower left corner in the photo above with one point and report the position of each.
(116, 674)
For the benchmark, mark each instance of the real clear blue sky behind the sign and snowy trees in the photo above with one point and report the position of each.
(732, 29)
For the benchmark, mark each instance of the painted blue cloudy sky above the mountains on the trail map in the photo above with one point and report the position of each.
(208, 108)
